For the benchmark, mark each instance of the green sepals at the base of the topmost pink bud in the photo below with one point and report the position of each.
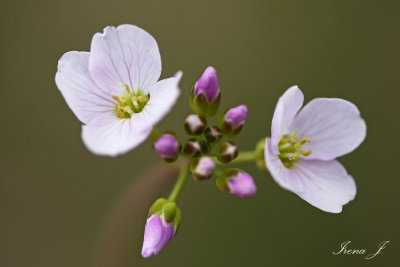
(202, 106)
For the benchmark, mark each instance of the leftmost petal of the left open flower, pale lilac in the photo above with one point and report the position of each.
(82, 95)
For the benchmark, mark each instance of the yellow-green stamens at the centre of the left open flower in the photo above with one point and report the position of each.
(130, 102)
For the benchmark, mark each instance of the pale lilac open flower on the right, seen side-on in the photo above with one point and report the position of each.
(304, 144)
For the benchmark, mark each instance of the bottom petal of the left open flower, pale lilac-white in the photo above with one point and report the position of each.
(108, 135)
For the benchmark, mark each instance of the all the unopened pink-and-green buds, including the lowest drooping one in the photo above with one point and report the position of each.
(204, 148)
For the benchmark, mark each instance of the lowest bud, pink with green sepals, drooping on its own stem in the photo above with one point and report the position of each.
(161, 225)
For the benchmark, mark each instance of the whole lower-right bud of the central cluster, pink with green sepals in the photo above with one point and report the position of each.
(236, 182)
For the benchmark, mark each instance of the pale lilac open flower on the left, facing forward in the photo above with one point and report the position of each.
(114, 89)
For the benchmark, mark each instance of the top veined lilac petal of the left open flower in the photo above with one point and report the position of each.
(124, 55)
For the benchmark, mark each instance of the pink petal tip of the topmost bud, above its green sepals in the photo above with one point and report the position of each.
(208, 84)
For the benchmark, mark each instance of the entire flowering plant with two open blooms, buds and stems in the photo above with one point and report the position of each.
(114, 91)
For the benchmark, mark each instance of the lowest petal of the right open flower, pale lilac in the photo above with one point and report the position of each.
(324, 184)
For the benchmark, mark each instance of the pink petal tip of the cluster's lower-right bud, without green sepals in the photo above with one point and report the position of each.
(242, 185)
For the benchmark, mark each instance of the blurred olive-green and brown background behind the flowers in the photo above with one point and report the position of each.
(57, 200)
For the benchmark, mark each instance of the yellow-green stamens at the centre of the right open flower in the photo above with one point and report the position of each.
(290, 149)
